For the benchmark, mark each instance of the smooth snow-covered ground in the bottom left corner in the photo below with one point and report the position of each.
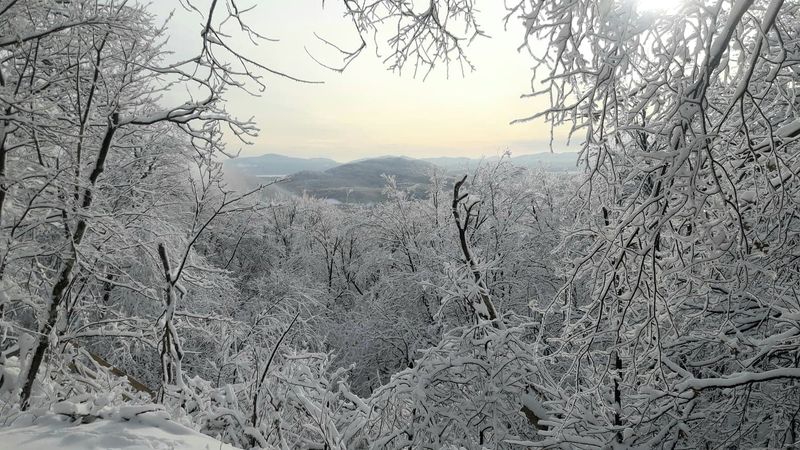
(54, 432)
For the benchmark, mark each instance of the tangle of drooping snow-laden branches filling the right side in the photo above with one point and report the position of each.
(690, 123)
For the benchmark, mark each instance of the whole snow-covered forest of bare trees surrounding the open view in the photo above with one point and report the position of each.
(650, 299)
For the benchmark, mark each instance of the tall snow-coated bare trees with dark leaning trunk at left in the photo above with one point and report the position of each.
(88, 148)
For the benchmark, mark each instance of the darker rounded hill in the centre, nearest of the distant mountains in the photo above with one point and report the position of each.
(362, 181)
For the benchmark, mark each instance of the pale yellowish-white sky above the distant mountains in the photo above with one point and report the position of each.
(370, 111)
